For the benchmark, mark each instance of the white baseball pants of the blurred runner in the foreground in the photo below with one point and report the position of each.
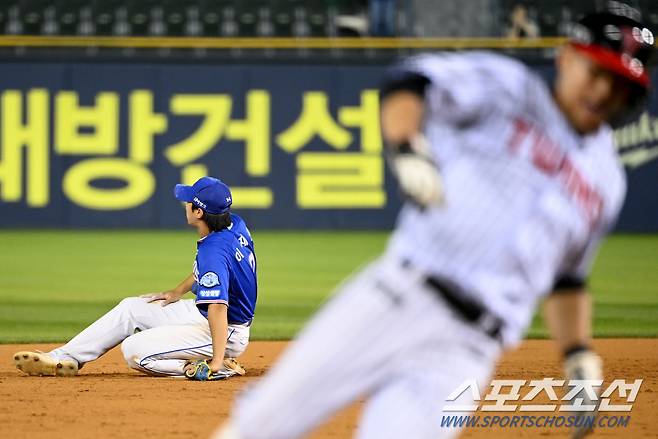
(385, 336)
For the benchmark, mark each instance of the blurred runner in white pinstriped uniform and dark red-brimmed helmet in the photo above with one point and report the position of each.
(529, 184)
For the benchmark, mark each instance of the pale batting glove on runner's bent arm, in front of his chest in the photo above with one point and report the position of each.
(417, 175)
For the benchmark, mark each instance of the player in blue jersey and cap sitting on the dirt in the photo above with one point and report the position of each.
(162, 335)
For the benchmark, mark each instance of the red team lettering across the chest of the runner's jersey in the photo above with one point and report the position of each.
(549, 158)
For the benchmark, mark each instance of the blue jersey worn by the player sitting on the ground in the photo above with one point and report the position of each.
(225, 272)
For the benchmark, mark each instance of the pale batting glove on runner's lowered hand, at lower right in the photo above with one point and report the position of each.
(584, 365)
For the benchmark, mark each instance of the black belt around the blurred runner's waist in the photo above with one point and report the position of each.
(467, 309)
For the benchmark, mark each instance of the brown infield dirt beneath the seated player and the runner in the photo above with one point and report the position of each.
(108, 400)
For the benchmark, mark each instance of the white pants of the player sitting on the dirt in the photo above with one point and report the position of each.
(155, 339)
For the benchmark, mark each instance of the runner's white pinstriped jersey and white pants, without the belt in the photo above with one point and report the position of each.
(527, 202)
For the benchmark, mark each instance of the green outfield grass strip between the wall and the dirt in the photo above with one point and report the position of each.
(53, 283)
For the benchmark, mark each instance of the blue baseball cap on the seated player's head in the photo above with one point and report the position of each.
(208, 193)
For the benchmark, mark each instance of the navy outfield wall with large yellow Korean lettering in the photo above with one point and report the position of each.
(100, 144)
